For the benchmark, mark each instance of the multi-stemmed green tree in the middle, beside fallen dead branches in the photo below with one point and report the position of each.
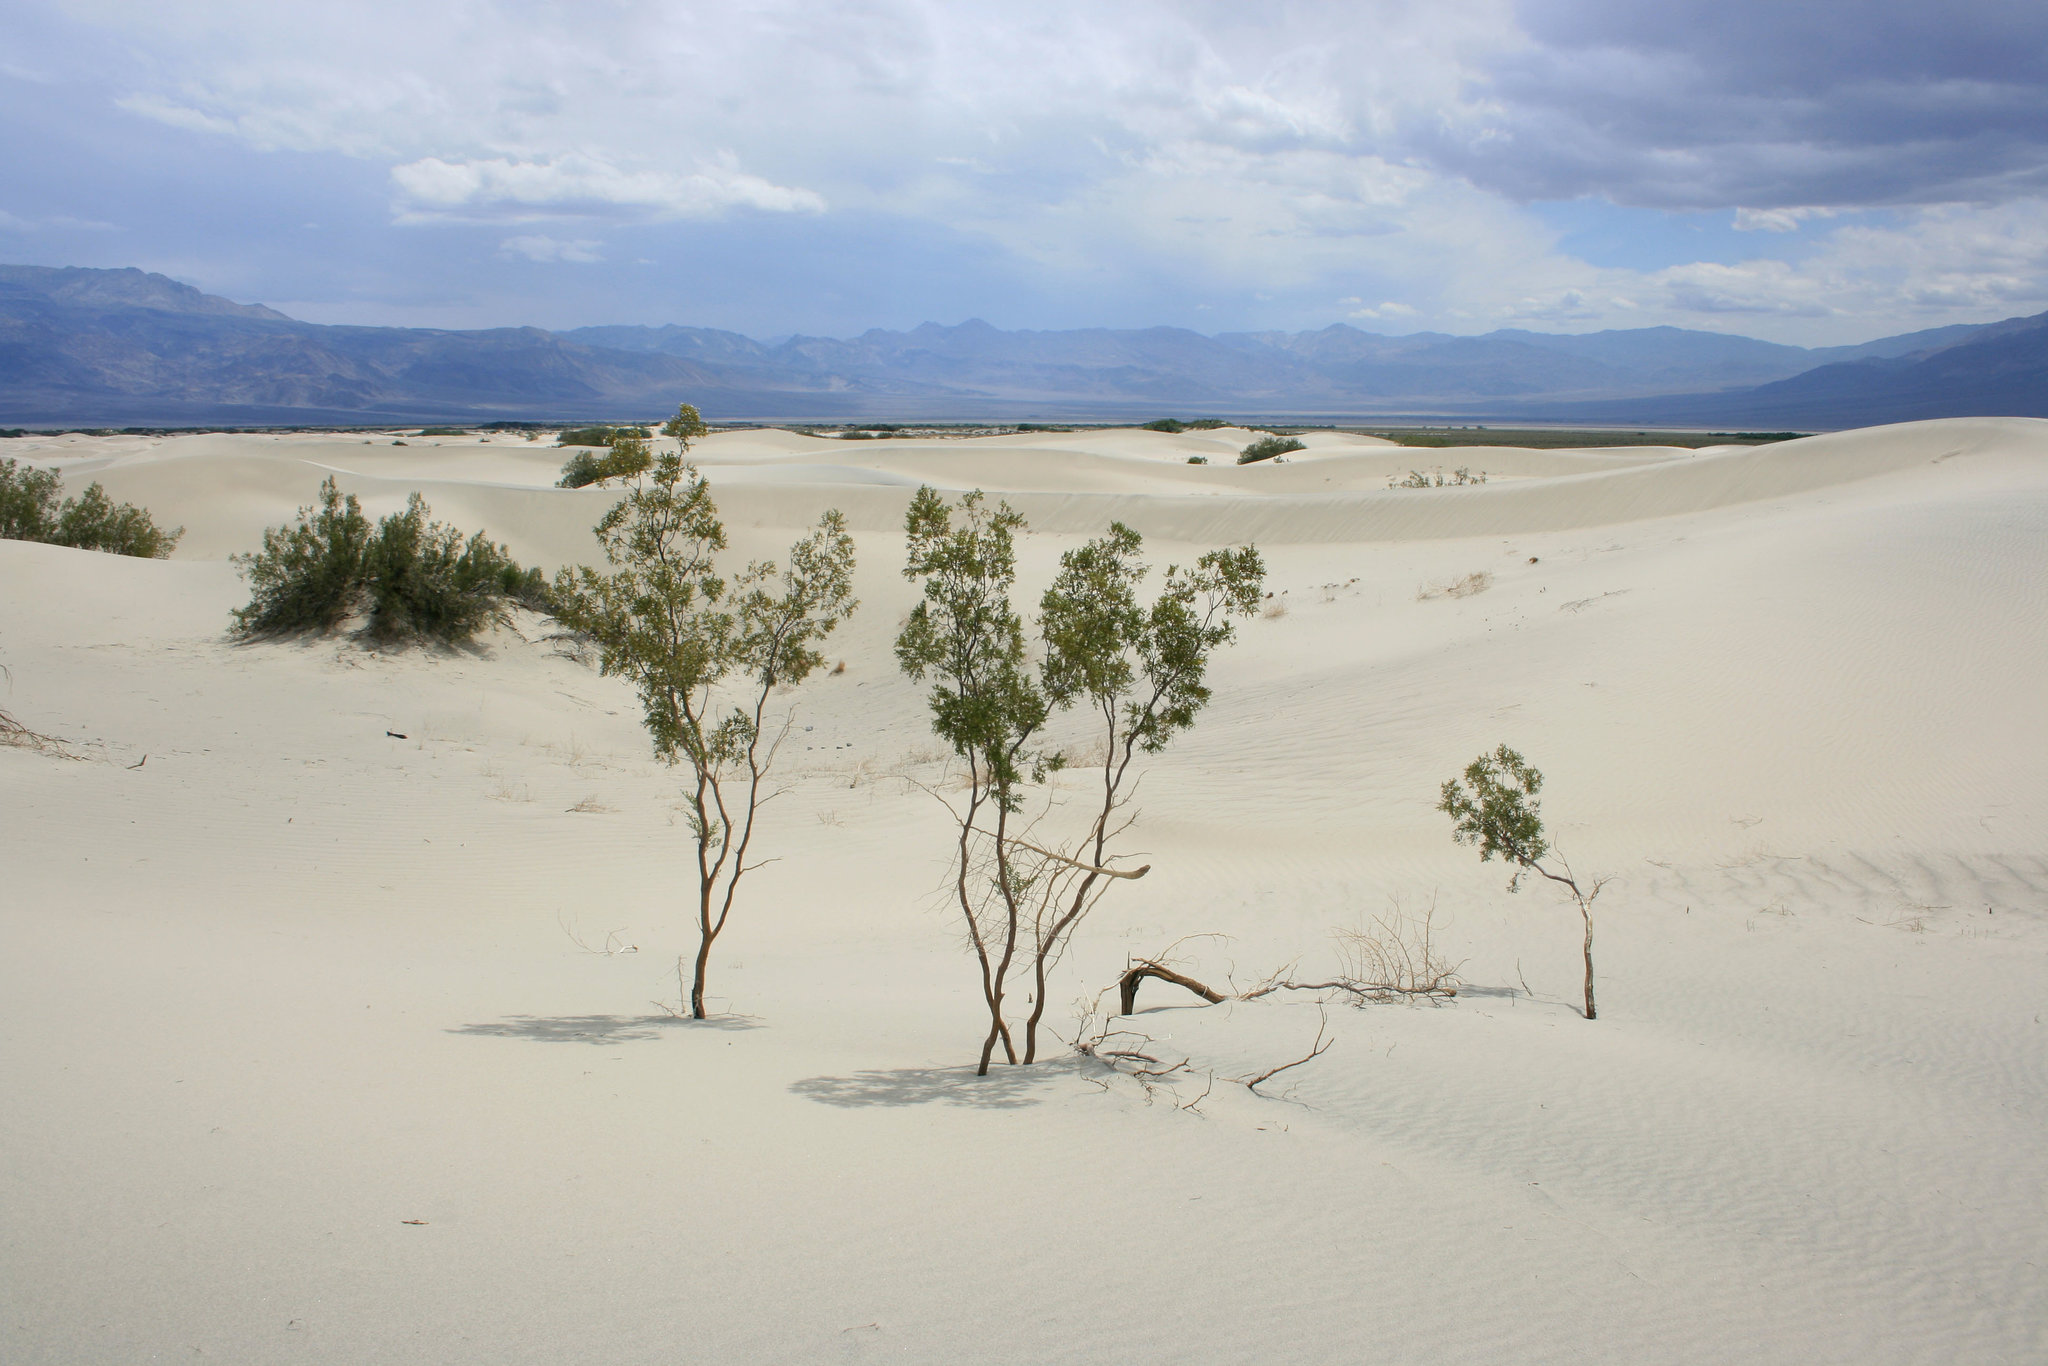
(1140, 671)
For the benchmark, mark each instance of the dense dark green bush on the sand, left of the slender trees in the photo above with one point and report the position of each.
(419, 581)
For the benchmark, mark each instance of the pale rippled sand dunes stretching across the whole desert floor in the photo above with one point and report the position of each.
(296, 980)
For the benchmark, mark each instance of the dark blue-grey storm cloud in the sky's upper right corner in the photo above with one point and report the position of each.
(1762, 103)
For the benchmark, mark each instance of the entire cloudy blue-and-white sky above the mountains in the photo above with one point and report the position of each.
(1787, 169)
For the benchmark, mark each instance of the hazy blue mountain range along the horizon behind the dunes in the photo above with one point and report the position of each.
(130, 349)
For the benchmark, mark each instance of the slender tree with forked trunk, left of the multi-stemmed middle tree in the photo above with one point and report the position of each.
(708, 654)
